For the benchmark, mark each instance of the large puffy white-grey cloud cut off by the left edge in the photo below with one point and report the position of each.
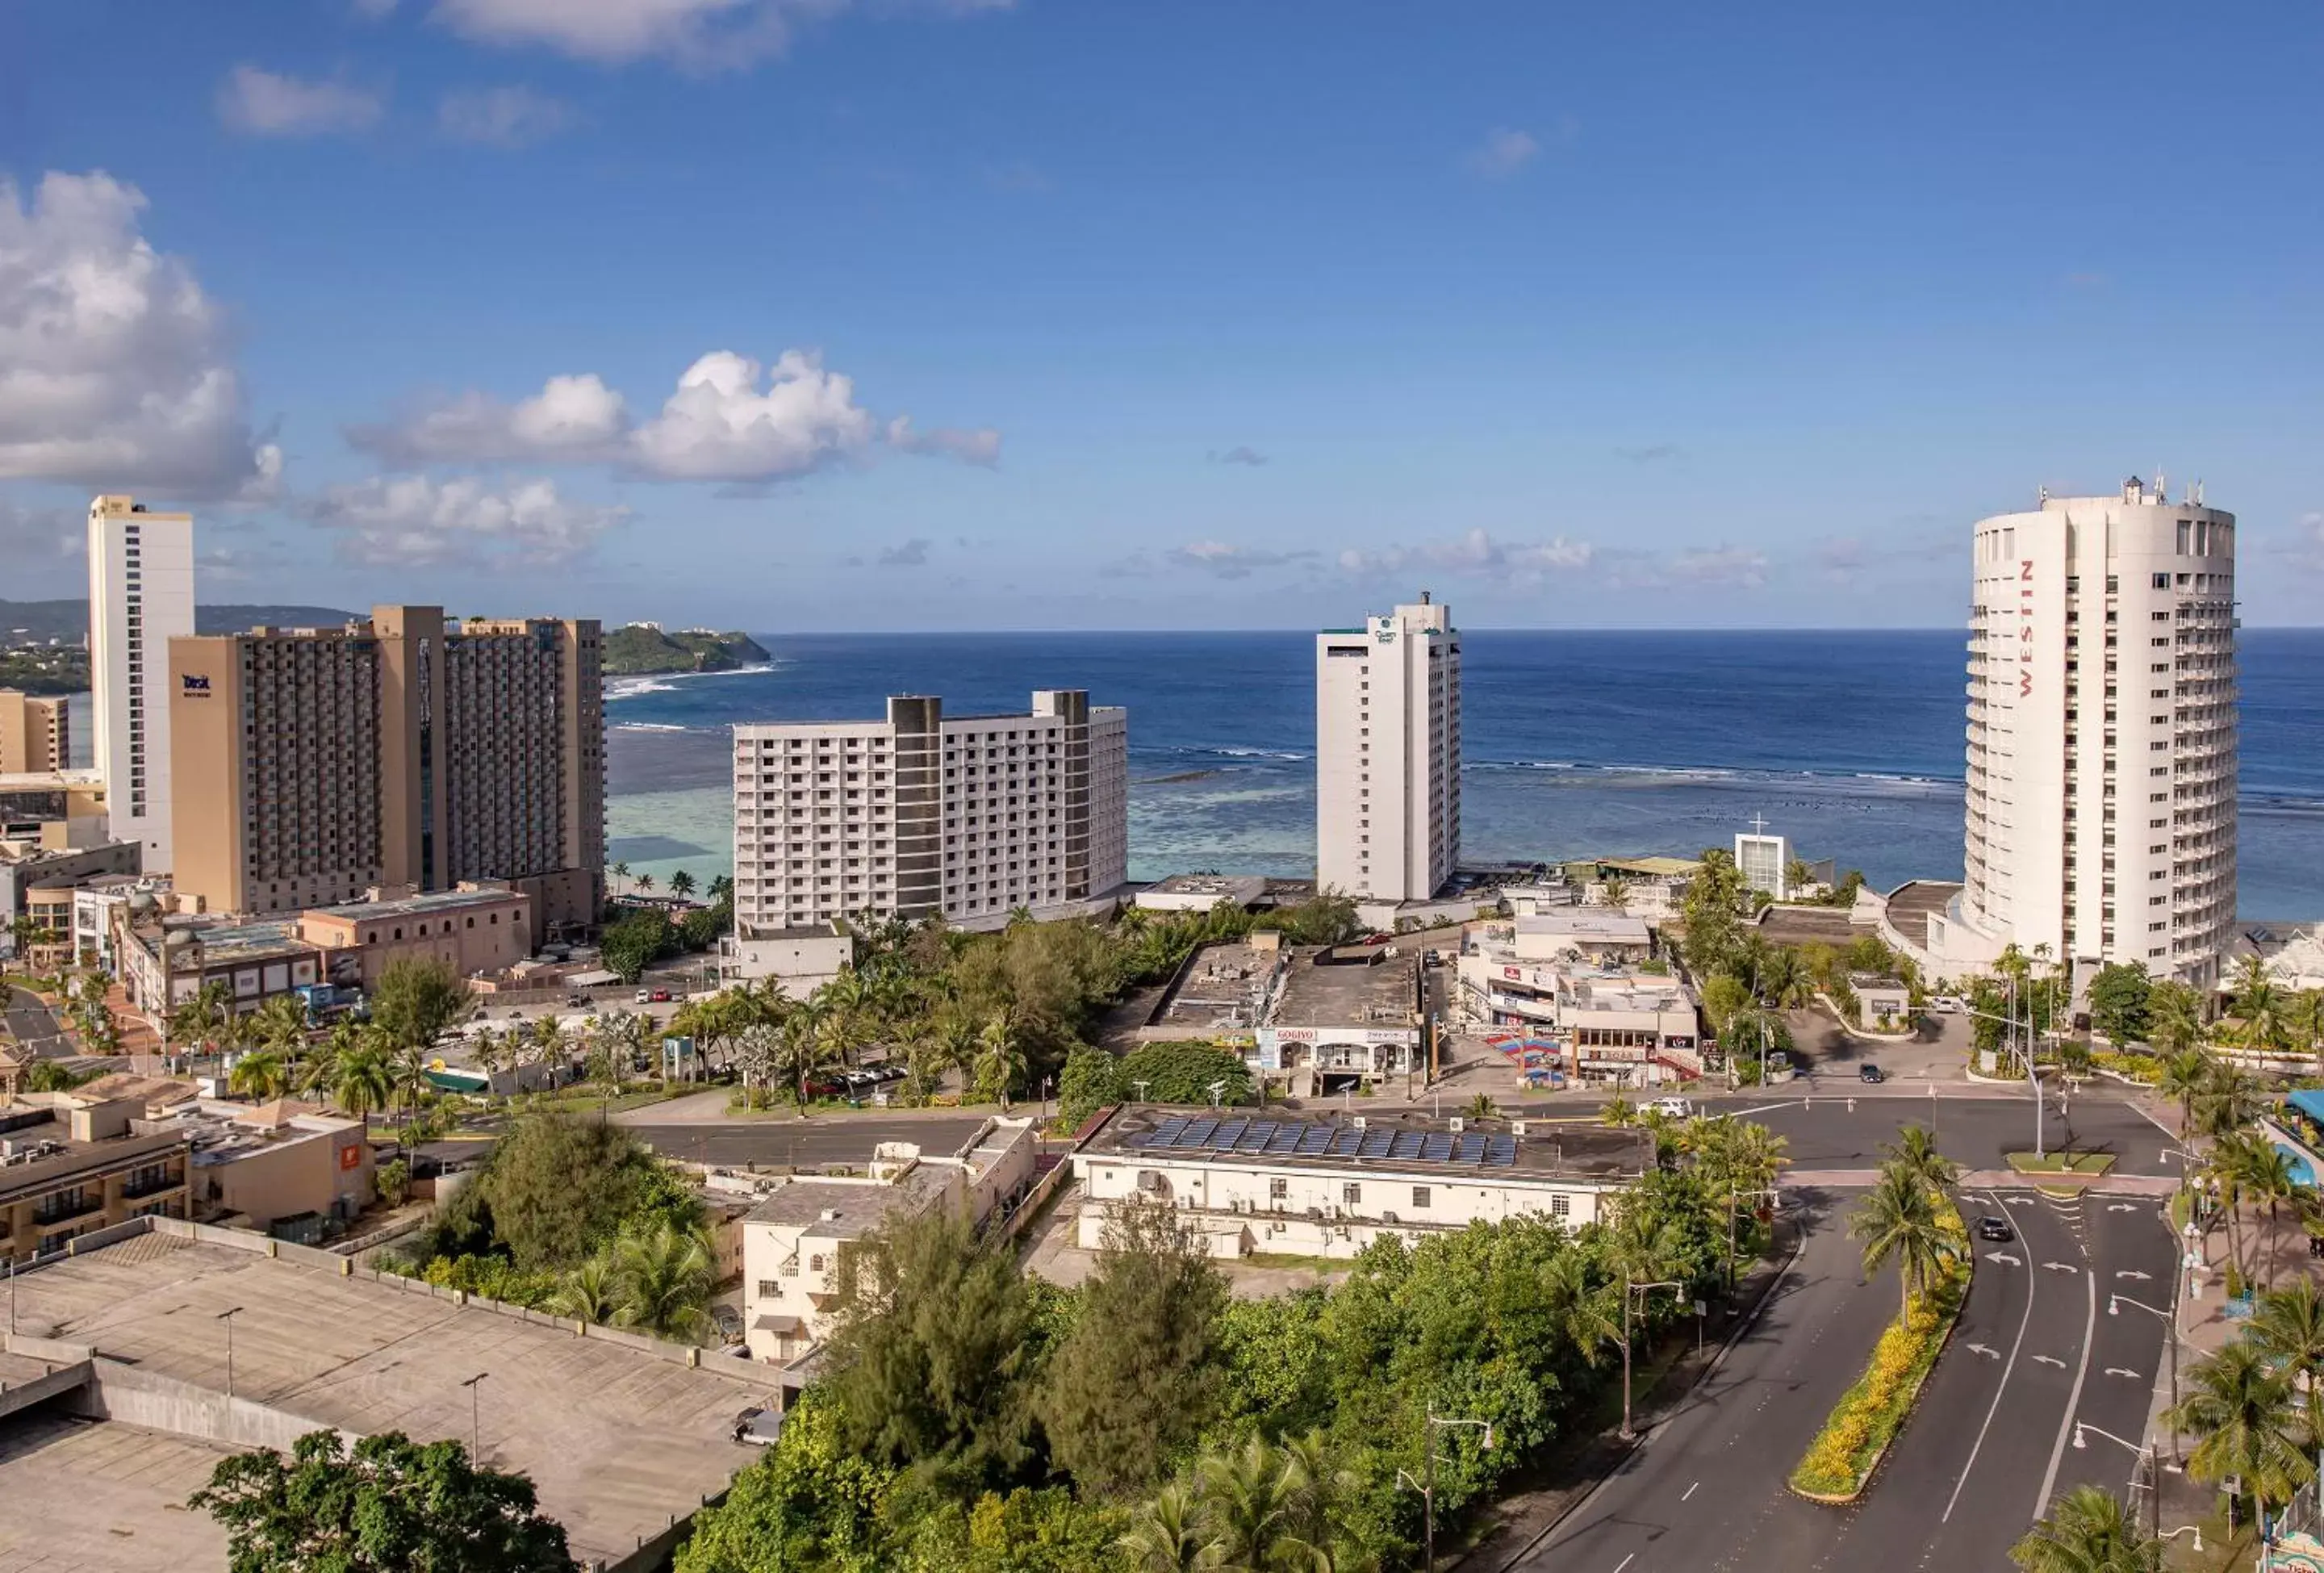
(115, 368)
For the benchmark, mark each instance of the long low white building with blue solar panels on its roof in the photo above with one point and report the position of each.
(1328, 1186)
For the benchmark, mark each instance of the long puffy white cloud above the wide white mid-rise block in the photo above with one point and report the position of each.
(731, 419)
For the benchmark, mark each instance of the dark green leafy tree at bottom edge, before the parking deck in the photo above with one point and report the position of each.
(382, 1507)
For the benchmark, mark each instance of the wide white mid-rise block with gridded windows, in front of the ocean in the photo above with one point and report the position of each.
(928, 814)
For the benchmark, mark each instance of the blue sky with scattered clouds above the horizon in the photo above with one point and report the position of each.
(1149, 315)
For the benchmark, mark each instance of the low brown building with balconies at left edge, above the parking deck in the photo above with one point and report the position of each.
(73, 1165)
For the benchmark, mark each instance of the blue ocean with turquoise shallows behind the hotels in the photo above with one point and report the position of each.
(1577, 745)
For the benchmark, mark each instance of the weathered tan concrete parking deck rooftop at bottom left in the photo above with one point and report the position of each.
(615, 1437)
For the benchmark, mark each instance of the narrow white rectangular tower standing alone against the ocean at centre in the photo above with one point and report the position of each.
(1389, 754)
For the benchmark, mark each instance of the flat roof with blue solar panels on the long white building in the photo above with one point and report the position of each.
(1386, 1142)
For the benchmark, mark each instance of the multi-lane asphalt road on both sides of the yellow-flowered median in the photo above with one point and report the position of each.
(1986, 1449)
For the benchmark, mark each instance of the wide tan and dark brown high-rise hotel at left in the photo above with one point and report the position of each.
(406, 749)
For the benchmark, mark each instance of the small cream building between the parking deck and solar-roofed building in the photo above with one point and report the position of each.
(801, 1228)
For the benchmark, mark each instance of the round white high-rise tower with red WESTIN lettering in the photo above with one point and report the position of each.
(2102, 738)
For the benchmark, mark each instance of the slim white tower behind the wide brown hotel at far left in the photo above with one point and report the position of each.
(141, 598)
